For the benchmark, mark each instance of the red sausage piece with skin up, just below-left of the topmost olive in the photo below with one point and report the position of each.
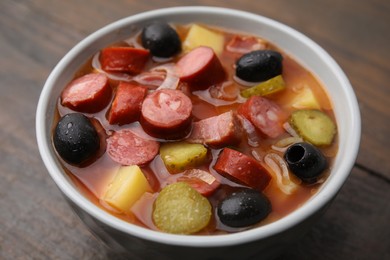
(123, 59)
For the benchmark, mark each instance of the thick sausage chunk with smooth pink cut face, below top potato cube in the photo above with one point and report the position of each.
(201, 68)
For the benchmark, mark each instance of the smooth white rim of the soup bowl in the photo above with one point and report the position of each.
(327, 192)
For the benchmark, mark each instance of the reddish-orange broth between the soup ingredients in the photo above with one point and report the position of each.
(93, 179)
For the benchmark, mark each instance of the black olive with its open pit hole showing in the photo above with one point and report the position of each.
(305, 161)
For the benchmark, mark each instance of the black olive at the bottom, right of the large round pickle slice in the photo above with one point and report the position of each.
(243, 208)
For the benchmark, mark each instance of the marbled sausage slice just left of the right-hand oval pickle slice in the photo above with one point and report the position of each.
(265, 115)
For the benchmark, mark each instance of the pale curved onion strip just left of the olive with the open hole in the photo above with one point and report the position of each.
(284, 179)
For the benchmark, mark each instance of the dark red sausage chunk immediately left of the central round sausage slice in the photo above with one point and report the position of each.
(126, 107)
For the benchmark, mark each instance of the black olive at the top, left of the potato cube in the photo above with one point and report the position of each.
(161, 39)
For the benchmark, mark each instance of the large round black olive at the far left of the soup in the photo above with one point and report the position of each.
(75, 138)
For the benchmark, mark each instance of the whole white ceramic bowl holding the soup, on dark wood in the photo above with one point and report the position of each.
(266, 241)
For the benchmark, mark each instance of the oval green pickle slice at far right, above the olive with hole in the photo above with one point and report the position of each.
(313, 126)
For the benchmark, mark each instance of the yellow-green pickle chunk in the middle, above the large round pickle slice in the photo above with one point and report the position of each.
(180, 156)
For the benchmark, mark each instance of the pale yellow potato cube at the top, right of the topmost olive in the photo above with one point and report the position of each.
(200, 36)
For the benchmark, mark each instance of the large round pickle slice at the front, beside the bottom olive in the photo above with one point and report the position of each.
(180, 209)
